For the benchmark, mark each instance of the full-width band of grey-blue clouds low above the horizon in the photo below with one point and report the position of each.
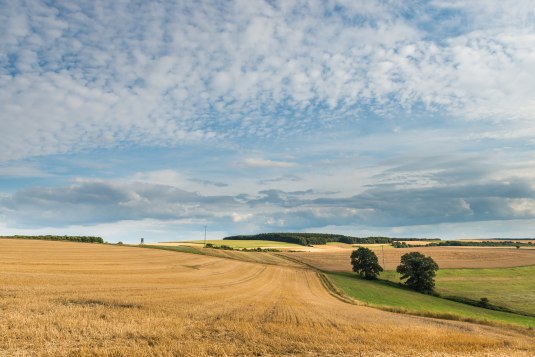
(94, 202)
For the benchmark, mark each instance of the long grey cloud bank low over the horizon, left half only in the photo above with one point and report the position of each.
(93, 202)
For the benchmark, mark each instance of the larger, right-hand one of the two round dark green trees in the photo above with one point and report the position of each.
(419, 271)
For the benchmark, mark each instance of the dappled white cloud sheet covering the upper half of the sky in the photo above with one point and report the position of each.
(99, 74)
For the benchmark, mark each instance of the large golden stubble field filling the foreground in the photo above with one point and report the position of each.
(73, 299)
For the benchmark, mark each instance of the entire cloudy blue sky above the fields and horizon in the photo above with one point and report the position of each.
(154, 119)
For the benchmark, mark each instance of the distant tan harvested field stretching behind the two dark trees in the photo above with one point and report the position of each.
(446, 257)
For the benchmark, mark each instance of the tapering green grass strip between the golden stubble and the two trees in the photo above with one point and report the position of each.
(387, 295)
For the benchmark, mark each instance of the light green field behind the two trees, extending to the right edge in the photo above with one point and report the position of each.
(513, 288)
